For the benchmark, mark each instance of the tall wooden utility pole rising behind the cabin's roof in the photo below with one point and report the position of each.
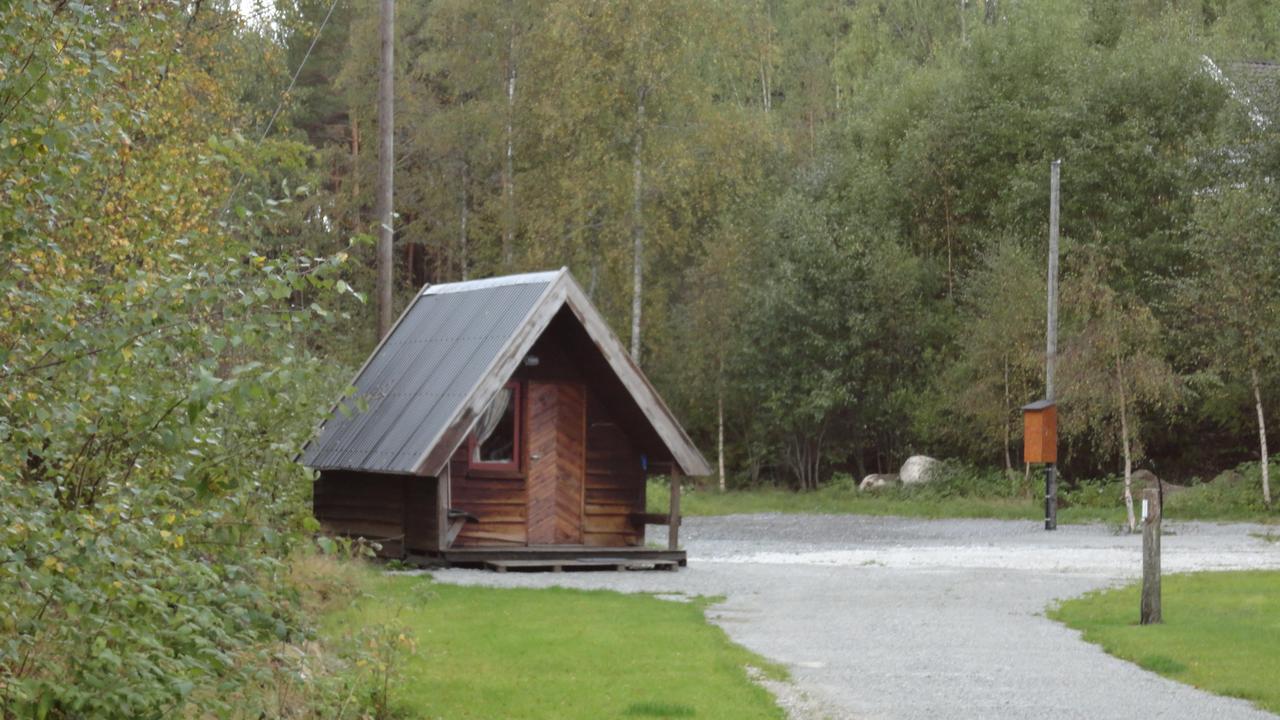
(386, 165)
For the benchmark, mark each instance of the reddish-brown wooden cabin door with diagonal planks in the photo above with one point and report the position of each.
(556, 430)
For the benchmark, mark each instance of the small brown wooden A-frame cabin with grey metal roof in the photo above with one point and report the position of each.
(501, 420)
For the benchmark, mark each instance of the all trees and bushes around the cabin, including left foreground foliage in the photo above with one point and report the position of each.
(820, 226)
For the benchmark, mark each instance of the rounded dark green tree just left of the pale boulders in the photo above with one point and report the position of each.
(833, 340)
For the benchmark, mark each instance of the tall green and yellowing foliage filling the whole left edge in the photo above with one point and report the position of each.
(156, 370)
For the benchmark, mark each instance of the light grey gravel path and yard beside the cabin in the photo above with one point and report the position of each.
(888, 618)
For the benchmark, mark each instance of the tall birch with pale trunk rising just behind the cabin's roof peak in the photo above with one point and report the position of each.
(627, 102)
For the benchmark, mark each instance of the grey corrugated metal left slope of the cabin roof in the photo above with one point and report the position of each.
(419, 377)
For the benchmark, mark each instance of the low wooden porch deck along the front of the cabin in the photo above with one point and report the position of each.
(556, 558)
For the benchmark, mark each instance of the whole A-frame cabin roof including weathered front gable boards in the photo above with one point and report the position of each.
(447, 357)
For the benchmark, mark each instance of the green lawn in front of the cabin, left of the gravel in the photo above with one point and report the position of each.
(556, 654)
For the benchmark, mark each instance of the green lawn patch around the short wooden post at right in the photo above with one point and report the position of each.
(1222, 632)
